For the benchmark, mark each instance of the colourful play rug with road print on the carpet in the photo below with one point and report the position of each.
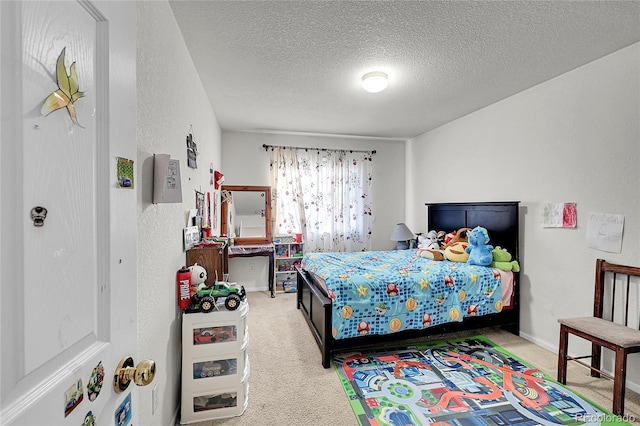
(468, 381)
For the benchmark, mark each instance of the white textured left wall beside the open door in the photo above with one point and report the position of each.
(170, 100)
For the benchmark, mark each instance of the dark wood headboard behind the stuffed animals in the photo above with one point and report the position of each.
(499, 218)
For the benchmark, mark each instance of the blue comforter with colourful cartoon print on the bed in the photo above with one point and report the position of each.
(383, 292)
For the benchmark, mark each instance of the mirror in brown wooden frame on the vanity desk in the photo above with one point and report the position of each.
(245, 213)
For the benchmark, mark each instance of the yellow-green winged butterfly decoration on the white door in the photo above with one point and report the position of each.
(67, 92)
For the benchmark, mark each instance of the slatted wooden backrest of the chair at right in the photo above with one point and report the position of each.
(614, 284)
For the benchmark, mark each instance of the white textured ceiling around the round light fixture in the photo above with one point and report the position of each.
(296, 66)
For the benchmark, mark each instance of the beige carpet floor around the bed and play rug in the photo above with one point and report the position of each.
(289, 386)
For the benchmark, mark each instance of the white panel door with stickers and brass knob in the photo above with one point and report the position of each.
(68, 230)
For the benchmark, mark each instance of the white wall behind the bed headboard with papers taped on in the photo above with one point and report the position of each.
(571, 139)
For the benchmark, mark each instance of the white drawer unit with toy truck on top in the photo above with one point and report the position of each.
(215, 364)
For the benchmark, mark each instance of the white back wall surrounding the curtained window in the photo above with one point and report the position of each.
(245, 162)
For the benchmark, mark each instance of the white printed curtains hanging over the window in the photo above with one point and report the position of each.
(323, 194)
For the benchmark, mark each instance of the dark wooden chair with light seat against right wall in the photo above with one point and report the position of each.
(603, 332)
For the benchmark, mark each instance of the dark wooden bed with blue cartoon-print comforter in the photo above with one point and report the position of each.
(401, 313)
